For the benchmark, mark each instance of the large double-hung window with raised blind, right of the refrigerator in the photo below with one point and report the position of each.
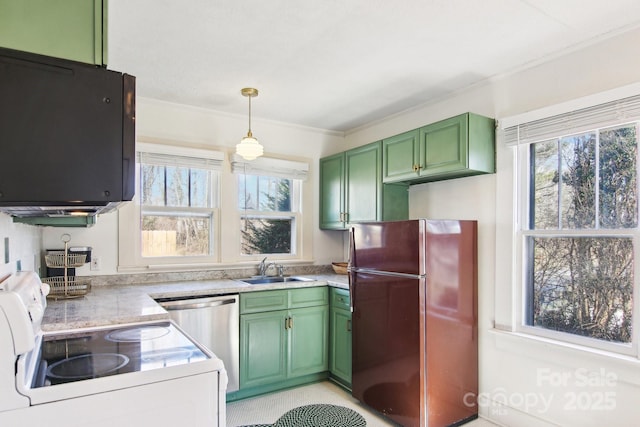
(577, 232)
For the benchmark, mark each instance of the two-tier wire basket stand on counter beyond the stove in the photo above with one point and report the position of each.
(66, 287)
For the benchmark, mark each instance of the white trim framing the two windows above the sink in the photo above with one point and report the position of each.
(227, 241)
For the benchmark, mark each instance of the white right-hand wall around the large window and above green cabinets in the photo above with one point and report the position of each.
(542, 383)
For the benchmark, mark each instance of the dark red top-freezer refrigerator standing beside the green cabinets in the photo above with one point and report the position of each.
(415, 332)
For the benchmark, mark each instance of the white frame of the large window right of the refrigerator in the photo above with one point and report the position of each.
(512, 198)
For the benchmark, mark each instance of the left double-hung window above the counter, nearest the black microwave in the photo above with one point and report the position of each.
(176, 206)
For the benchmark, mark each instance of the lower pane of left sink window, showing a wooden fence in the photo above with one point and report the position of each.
(174, 235)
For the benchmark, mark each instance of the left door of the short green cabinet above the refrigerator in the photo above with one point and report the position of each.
(401, 156)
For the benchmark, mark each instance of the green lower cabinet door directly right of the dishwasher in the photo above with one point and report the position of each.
(263, 347)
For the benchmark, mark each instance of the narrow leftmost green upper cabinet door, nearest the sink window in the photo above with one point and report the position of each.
(332, 192)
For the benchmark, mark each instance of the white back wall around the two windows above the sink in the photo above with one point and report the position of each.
(183, 125)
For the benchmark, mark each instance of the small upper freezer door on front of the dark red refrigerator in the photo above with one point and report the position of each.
(393, 246)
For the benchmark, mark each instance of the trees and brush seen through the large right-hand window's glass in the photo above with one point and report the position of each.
(582, 218)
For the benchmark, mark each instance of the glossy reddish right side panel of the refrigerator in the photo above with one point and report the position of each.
(451, 350)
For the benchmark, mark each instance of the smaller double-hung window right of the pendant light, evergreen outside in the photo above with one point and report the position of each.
(269, 206)
